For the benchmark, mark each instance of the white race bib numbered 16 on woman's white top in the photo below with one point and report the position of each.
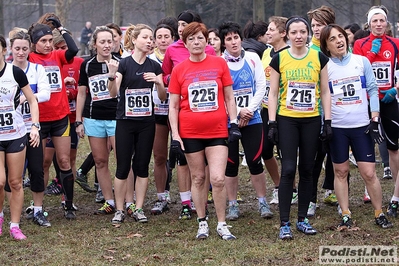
(347, 91)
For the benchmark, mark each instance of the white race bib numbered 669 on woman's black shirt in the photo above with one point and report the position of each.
(138, 102)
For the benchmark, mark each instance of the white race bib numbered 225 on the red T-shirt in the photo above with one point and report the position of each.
(203, 96)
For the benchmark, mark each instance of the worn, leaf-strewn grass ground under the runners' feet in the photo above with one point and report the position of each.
(165, 240)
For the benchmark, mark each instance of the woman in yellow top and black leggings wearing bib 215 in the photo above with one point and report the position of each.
(298, 89)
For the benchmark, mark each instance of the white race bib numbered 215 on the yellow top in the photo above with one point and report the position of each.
(301, 96)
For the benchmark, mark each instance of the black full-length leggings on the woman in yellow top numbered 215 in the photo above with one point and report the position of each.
(294, 134)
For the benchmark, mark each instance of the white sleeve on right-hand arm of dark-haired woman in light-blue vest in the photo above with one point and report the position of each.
(260, 83)
